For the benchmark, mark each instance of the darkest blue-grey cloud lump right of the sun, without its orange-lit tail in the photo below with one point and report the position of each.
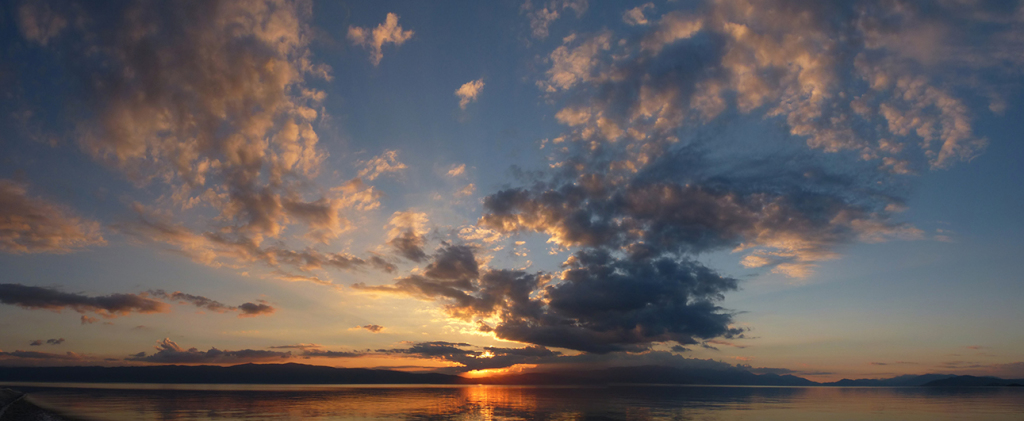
(607, 305)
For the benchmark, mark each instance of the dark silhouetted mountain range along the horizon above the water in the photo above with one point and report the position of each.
(303, 374)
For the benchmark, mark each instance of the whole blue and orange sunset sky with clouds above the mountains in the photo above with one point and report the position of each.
(828, 190)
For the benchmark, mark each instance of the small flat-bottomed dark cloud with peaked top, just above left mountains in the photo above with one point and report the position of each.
(170, 353)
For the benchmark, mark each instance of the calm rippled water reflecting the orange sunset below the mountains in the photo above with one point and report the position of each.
(152, 402)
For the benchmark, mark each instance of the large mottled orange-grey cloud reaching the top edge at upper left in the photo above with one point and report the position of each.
(218, 108)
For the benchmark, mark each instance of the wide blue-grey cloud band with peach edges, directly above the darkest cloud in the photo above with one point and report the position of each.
(780, 222)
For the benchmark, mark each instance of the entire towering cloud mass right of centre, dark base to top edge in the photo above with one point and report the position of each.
(635, 195)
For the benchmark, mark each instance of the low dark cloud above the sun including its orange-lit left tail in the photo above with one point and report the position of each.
(602, 305)
